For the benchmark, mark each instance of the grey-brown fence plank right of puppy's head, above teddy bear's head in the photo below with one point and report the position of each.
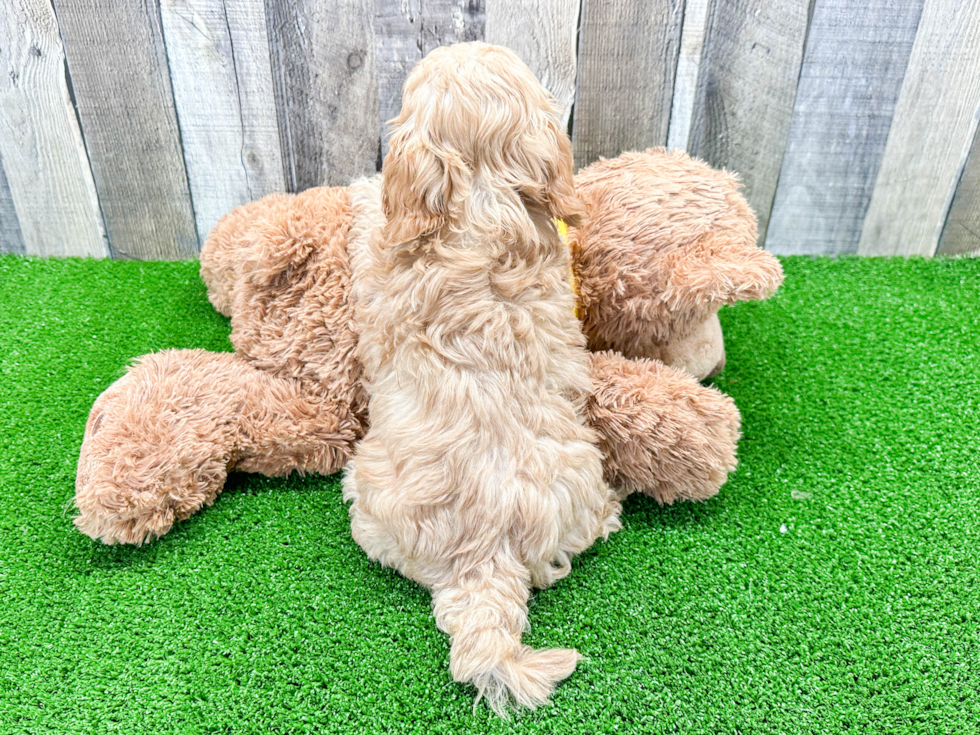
(627, 59)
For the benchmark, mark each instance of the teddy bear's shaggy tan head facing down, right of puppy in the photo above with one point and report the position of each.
(666, 242)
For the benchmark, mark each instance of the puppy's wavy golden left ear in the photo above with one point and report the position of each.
(422, 185)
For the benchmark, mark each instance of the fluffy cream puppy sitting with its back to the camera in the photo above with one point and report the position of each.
(478, 477)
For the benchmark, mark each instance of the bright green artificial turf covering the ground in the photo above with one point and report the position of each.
(832, 585)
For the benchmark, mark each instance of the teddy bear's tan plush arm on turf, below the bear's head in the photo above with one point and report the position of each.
(661, 432)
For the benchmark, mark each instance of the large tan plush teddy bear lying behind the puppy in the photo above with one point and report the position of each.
(666, 242)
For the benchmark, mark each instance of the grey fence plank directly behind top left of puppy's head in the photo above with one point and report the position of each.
(407, 30)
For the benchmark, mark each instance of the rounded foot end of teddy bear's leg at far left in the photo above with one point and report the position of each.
(155, 450)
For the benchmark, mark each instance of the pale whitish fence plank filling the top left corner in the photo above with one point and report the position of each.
(47, 170)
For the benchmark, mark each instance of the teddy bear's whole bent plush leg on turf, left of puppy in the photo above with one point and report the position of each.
(160, 441)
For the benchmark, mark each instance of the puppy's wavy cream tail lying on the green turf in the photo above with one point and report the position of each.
(485, 612)
